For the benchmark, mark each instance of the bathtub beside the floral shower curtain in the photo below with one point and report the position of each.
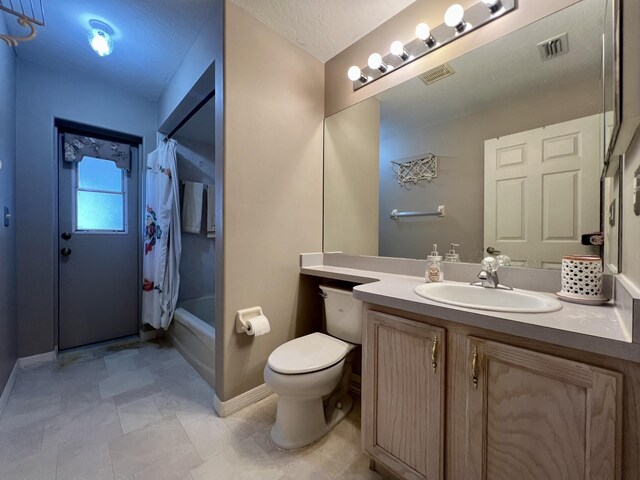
(193, 334)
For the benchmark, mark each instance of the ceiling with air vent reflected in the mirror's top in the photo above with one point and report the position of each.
(496, 73)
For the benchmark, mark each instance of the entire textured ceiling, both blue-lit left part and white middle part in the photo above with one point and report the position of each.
(152, 36)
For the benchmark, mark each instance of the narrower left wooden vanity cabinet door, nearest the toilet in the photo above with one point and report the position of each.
(403, 395)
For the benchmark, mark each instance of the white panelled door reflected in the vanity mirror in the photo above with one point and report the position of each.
(542, 191)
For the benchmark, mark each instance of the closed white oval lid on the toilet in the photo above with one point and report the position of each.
(307, 354)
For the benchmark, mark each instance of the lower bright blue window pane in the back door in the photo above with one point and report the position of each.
(100, 211)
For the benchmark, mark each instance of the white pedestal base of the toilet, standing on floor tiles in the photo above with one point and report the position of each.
(299, 423)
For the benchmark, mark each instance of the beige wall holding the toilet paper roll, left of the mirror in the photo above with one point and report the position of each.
(272, 192)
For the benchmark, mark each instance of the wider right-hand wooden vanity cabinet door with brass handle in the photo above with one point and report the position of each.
(535, 416)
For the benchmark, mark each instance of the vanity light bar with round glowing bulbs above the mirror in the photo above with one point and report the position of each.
(458, 22)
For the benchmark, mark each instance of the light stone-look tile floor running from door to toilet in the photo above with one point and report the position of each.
(140, 411)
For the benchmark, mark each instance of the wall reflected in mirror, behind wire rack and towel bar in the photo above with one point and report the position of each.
(459, 145)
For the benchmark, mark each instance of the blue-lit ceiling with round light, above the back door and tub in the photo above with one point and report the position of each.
(150, 41)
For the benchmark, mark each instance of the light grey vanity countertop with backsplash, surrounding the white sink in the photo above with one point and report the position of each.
(390, 282)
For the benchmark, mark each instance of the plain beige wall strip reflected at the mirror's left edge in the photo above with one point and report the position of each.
(351, 159)
